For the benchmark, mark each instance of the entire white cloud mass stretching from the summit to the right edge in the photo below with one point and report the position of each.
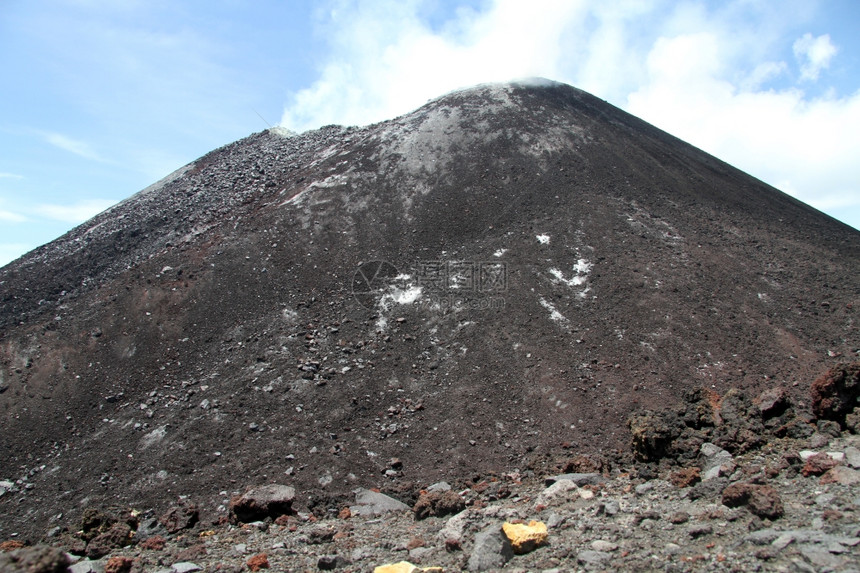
(714, 75)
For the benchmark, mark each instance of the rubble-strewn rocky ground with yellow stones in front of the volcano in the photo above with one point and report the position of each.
(719, 483)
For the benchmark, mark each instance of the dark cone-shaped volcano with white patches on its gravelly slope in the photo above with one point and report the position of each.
(464, 290)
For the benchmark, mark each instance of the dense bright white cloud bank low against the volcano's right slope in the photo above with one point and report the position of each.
(805, 146)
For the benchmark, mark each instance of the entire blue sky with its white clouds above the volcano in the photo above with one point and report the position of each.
(101, 98)
